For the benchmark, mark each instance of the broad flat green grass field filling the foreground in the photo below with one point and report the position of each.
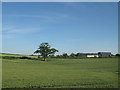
(60, 73)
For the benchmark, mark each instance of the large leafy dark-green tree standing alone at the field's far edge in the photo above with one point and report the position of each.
(45, 50)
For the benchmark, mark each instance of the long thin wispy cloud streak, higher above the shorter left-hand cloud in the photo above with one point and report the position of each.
(47, 17)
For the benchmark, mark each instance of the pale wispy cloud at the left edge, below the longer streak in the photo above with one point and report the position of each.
(11, 32)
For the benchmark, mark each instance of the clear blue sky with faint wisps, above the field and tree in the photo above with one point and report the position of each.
(68, 27)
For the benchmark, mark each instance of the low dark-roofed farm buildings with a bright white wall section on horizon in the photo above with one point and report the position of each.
(99, 54)
